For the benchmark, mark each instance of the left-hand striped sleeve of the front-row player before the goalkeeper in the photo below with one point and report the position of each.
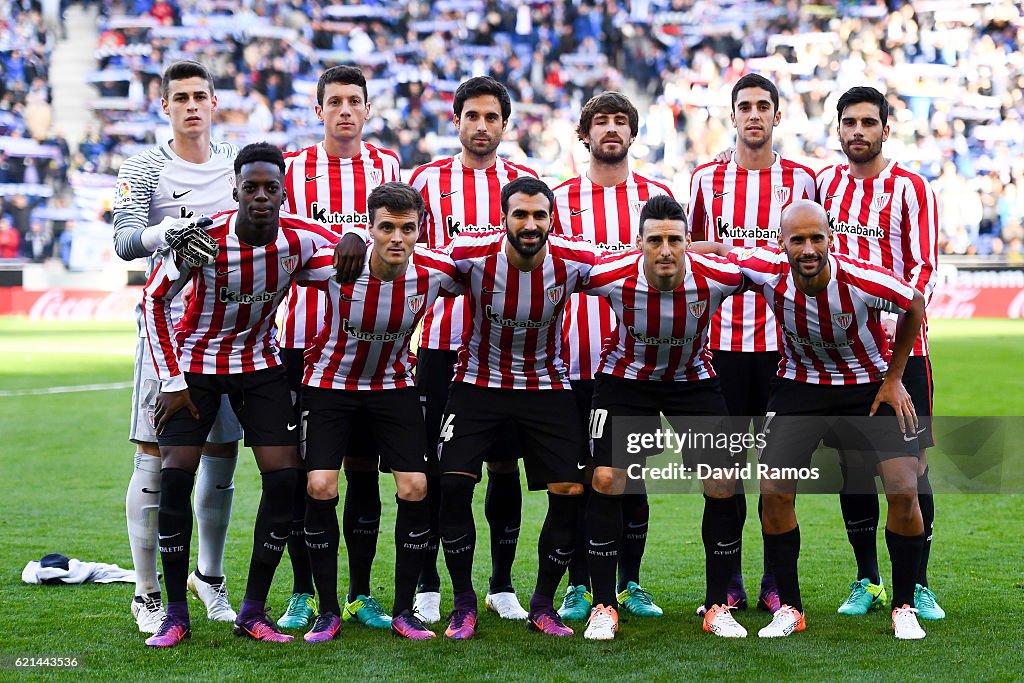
(165, 283)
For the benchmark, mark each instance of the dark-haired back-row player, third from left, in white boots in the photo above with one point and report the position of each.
(463, 195)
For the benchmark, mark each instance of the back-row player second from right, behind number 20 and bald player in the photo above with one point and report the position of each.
(739, 204)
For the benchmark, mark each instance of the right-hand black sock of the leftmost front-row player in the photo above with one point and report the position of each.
(274, 526)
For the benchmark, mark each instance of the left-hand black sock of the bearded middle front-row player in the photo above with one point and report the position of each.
(458, 531)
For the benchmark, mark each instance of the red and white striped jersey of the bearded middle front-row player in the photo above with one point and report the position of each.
(517, 338)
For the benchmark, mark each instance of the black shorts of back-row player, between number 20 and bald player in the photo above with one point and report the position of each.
(747, 378)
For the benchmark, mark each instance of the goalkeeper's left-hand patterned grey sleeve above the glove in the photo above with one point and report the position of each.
(137, 184)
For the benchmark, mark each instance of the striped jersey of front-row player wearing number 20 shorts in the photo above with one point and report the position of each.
(662, 336)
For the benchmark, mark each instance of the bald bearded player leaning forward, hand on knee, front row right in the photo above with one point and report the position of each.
(828, 307)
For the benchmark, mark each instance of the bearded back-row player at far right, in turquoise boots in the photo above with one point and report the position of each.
(885, 215)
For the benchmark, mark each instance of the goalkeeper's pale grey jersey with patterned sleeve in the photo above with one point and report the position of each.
(158, 184)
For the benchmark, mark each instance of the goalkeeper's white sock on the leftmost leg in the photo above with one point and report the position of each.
(142, 508)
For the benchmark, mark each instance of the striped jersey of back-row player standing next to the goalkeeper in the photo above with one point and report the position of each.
(333, 192)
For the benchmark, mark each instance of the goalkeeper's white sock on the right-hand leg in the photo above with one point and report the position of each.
(215, 491)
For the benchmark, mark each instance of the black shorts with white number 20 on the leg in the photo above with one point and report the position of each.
(625, 410)
